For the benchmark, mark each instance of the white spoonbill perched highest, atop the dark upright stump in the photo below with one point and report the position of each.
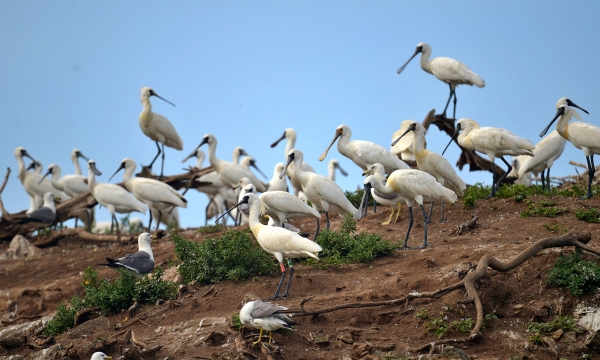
(448, 70)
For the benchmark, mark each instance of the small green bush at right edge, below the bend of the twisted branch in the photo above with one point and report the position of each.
(580, 276)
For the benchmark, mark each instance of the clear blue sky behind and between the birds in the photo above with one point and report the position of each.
(244, 71)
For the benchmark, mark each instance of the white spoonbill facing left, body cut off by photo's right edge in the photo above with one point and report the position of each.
(583, 136)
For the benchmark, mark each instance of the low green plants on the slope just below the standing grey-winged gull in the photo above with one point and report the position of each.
(111, 296)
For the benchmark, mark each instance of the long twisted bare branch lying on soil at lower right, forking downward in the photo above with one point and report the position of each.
(579, 240)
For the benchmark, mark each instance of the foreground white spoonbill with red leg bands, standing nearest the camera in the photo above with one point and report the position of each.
(279, 242)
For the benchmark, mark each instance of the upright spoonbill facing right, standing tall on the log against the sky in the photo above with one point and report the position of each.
(157, 127)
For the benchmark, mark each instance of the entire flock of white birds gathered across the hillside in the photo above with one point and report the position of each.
(232, 188)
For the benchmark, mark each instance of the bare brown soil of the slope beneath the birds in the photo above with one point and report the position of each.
(197, 325)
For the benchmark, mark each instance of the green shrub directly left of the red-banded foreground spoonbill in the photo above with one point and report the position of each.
(235, 255)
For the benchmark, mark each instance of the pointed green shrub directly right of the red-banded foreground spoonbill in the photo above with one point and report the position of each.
(346, 247)
